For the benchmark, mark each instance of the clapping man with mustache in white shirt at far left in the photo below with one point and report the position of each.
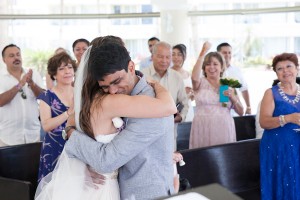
(19, 122)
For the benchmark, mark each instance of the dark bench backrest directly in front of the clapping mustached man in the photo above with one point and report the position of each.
(21, 162)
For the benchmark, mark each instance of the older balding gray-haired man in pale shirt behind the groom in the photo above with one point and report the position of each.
(170, 79)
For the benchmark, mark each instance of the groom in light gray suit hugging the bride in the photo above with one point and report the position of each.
(143, 150)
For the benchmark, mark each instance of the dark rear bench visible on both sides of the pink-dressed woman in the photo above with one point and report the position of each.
(244, 126)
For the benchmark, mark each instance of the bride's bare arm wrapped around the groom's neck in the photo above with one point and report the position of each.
(140, 106)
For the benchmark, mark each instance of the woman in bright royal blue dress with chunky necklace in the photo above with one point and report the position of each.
(280, 144)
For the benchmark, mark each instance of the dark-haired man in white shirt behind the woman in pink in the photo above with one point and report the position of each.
(234, 72)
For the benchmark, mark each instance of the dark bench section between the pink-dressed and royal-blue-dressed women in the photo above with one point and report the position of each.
(245, 127)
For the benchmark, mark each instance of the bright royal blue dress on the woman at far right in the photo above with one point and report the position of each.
(279, 155)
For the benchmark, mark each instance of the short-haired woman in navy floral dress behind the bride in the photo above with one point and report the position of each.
(56, 104)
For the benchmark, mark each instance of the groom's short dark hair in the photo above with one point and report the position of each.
(108, 59)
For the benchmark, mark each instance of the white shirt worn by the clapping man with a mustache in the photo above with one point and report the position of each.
(19, 122)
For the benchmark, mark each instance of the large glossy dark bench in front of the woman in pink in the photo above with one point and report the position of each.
(235, 166)
